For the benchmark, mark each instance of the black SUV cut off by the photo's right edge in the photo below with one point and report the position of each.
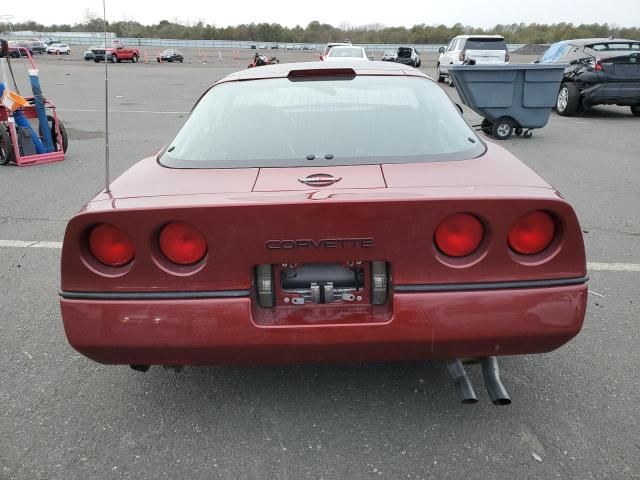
(600, 71)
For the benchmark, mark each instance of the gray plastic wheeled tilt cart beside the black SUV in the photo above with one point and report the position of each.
(510, 97)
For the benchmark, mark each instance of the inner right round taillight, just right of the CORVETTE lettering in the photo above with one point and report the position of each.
(459, 235)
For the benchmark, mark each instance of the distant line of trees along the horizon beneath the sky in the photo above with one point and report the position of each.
(316, 32)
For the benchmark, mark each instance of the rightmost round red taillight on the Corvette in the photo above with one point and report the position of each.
(532, 233)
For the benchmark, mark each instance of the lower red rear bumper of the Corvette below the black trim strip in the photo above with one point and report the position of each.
(415, 326)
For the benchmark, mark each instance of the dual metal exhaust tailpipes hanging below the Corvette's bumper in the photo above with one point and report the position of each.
(492, 382)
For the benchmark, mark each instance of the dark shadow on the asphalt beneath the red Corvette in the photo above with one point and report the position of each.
(325, 387)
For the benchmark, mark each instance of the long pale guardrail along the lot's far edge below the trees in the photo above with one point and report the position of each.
(237, 44)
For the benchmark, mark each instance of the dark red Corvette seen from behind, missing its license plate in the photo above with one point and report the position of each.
(313, 213)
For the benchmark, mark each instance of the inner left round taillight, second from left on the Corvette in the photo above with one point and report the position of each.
(182, 244)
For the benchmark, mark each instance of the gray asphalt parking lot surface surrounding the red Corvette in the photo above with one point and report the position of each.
(575, 412)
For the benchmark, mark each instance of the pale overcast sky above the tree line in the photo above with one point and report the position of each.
(477, 13)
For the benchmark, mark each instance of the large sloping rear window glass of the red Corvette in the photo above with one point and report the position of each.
(356, 120)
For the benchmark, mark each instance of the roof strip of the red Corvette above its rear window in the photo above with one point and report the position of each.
(360, 66)
